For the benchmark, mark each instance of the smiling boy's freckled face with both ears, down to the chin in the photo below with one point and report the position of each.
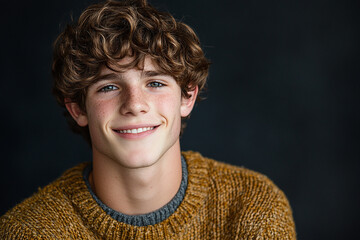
(134, 117)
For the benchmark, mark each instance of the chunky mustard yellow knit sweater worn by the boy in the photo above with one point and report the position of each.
(221, 202)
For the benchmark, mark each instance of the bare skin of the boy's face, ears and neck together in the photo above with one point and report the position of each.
(135, 173)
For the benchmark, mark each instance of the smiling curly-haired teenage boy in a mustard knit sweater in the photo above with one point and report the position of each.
(128, 75)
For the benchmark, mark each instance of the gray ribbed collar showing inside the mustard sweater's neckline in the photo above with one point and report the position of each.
(149, 218)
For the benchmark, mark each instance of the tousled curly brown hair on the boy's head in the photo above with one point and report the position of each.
(109, 31)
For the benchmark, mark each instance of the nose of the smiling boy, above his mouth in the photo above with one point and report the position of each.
(133, 101)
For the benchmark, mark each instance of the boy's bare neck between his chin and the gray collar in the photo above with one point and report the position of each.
(135, 191)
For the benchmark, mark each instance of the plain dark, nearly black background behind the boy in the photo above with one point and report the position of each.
(282, 100)
